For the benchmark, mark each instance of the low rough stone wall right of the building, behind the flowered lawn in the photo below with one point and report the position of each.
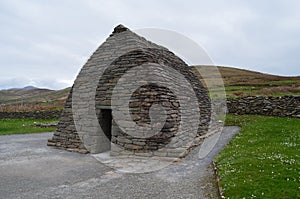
(288, 106)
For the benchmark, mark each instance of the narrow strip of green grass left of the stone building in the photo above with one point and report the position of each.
(22, 126)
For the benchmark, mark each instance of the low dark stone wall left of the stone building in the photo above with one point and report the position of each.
(31, 115)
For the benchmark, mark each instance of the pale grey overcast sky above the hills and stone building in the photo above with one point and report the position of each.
(45, 43)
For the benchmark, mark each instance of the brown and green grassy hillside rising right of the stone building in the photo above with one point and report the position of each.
(240, 82)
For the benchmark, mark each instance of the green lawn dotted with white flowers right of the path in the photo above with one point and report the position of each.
(263, 160)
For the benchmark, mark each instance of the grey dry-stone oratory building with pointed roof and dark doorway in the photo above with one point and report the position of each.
(118, 98)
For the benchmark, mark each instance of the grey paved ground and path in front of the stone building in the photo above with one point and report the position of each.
(30, 169)
